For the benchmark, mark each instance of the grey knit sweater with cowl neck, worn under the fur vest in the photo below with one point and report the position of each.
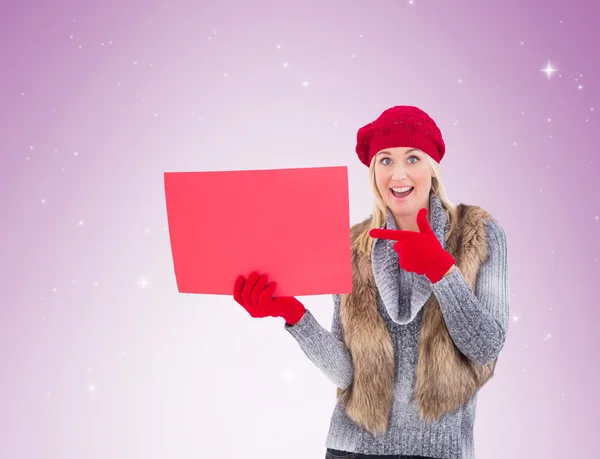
(476, 323)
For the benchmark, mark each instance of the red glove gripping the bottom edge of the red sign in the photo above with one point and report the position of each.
(254, 295)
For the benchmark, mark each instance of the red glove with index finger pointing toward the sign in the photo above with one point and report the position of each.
(419, 252)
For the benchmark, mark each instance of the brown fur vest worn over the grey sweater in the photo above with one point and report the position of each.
(445, 378)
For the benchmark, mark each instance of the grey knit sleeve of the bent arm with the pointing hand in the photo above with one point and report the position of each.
(478, 321)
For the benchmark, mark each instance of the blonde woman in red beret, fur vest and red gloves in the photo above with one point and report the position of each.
(421, 332)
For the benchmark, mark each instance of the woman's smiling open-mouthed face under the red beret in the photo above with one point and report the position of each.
(397, 169)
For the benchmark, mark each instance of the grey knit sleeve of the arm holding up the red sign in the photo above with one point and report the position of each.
(325, 349)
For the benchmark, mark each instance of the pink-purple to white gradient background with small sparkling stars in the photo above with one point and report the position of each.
(102, 358)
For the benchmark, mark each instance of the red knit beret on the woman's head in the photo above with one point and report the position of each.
(400, 126)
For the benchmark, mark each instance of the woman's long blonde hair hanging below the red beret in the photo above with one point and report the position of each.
(364, 242)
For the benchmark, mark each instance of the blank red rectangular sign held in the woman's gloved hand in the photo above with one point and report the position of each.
(291, 224)
